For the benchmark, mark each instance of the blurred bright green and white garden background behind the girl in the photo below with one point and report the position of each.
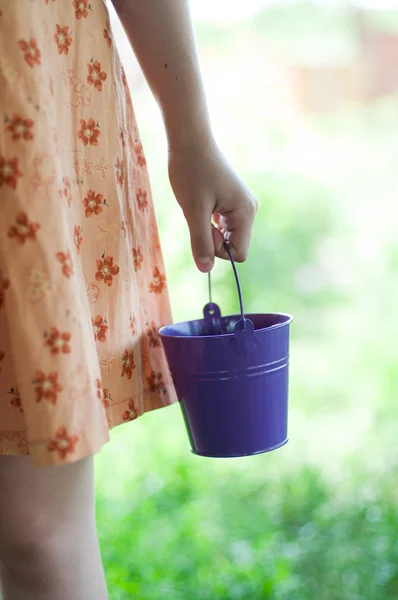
(304, 103)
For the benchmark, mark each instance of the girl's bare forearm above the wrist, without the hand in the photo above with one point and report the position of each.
(161, 34)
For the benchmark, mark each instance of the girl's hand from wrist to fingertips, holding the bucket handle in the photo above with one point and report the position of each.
(207, 188)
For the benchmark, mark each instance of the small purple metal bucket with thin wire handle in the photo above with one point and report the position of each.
(231, 378)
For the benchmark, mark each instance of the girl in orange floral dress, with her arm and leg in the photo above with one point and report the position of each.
(82, 283)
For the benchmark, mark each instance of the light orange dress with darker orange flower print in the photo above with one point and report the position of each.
(82, 282)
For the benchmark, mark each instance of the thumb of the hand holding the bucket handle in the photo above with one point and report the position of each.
(202, 244)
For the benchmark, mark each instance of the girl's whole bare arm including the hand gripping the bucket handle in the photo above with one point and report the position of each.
(205, 186)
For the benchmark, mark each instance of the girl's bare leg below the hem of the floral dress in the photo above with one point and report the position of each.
(48, 539)
